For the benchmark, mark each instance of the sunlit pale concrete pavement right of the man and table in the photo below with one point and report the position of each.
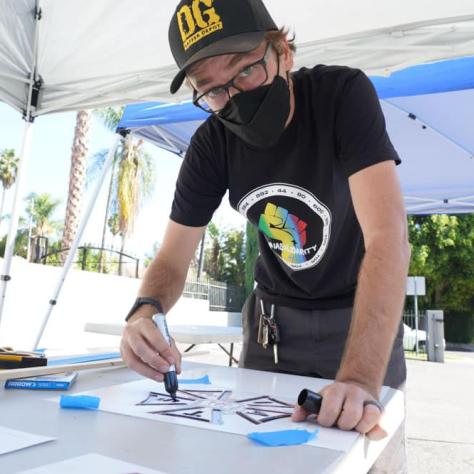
(440, 415)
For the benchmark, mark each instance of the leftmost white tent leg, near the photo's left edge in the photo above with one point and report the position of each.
(15, 213)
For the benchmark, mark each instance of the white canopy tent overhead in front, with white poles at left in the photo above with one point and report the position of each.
(57, 56)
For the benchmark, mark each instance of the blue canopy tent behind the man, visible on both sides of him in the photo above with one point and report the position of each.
(429, 110)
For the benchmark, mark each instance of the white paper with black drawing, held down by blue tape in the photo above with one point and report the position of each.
(123, 399)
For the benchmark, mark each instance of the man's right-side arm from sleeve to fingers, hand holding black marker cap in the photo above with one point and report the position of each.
(378, 204)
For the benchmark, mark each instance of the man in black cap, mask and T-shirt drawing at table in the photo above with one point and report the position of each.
(305, 157)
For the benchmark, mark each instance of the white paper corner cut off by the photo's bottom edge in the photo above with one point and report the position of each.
(91, 463)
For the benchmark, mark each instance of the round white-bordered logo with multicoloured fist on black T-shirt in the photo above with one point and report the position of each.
(296, 225)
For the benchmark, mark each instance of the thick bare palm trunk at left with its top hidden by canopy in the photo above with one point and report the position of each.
(76, 180)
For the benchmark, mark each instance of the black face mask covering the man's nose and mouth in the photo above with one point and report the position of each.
(258, 116)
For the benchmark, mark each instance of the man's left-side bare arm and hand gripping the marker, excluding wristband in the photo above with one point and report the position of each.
(143, 348)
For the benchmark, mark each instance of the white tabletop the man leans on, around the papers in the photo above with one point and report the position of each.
(170, 447)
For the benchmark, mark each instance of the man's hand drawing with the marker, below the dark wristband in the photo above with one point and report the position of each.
(145, 350)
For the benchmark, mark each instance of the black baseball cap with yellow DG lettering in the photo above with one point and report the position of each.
(203, 28)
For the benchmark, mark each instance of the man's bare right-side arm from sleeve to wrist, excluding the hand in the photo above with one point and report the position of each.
(381, 283)
